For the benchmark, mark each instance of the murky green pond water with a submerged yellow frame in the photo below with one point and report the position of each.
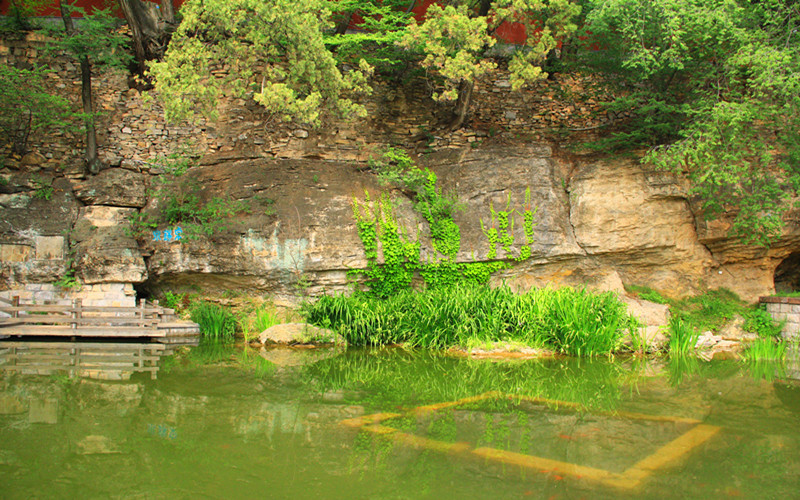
(220, 423)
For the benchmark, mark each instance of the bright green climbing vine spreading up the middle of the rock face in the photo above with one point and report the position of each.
(399, 260)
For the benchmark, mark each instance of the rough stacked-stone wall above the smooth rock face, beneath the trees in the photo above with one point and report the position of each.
(133, 133)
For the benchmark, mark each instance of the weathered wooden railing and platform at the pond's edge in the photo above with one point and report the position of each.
(79, 320)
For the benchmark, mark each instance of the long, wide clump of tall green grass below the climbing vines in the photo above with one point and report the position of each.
(569, 321)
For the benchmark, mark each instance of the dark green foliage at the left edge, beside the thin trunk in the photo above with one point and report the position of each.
(27, 107)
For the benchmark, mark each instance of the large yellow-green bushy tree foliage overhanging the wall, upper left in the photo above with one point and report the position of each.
(273, 51)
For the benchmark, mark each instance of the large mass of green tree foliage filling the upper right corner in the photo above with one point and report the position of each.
(715, 85)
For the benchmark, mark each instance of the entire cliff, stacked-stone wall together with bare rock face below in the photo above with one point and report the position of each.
(602, 221)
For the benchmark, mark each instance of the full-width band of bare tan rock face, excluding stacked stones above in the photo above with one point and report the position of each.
(601, 223)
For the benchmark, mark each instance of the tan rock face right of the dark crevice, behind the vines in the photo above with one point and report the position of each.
(600, 223)
